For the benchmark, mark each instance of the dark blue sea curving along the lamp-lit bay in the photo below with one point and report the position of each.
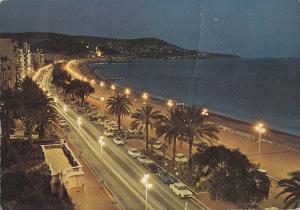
(251, 90)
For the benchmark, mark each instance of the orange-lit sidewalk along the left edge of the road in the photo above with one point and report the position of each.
(93, 196)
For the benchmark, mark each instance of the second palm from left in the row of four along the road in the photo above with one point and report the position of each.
(144, 118)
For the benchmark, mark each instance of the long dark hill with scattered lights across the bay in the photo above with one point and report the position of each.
(82, 45)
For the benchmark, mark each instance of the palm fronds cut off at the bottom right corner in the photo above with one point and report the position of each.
(292, 186)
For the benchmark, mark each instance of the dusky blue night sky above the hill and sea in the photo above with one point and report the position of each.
(253, 28)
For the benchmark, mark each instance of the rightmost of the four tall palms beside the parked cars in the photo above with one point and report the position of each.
(196, 128)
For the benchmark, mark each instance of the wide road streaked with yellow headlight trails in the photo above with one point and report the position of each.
(120, 173)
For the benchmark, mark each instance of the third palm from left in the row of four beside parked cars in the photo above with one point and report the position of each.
(171, 127)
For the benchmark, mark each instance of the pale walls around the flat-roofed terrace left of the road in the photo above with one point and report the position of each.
(67, 178)
